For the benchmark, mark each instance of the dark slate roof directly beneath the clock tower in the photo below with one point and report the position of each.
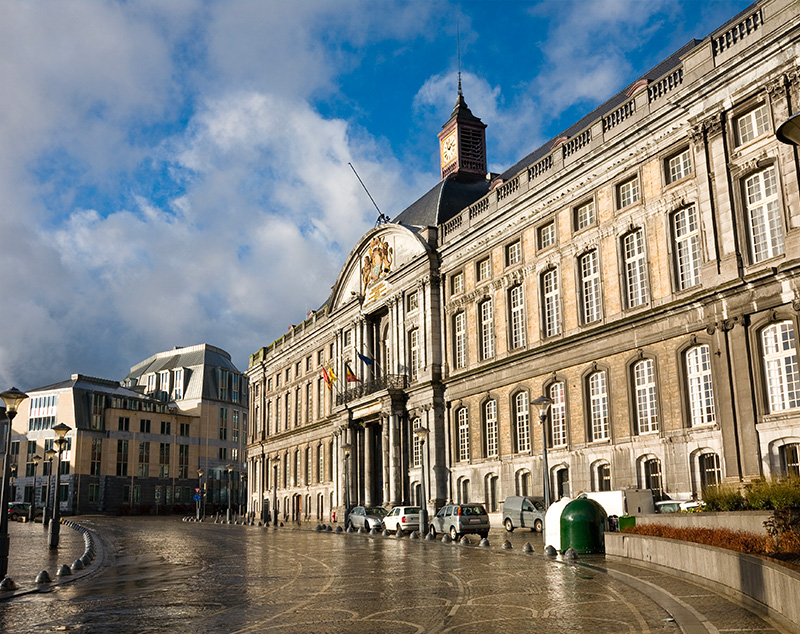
(447, 198)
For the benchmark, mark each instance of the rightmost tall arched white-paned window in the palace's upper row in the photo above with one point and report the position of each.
(763, 215)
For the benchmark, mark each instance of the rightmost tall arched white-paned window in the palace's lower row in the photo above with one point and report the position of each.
(780, 361)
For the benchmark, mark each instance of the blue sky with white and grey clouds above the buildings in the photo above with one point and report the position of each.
(176, 172)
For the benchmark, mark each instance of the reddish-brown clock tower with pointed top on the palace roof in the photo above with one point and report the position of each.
(462, 141)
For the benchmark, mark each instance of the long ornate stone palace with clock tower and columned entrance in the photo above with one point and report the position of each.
(640, 270)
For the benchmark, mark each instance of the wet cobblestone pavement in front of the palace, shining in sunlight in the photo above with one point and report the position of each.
(163, 575)
